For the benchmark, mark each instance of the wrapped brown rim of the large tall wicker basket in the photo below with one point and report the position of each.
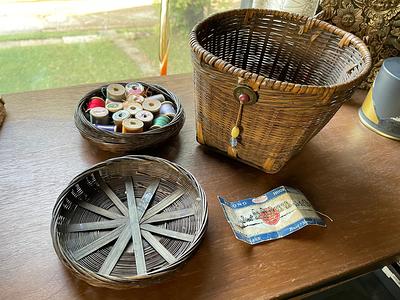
(259, 80)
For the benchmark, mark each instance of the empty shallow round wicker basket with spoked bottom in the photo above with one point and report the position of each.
(129, 221)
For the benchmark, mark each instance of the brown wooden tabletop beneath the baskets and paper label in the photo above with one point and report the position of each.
(346, 171)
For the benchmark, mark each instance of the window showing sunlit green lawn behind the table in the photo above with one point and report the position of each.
(49, 44)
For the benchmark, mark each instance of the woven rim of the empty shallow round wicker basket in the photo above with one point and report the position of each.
(111, 280)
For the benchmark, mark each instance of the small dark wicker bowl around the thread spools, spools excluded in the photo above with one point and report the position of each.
(121, 143)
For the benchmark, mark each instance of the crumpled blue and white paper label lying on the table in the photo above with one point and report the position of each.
(270, 216)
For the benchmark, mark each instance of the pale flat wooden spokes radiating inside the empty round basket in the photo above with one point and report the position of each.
(134, 223)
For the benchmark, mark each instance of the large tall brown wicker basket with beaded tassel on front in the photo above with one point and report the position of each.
(296, 71)
